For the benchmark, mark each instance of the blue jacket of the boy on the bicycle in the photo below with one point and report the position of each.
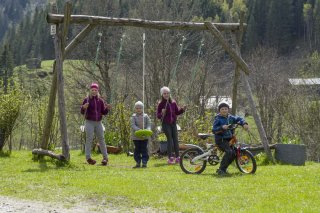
(220, 120)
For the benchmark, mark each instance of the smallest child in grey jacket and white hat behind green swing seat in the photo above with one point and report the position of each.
(140, 121)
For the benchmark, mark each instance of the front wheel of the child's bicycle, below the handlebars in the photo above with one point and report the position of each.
(246, 162)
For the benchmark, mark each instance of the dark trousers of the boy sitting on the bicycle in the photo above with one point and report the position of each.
(229, 153)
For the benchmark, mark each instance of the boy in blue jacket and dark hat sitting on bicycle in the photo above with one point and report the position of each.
(223, 134)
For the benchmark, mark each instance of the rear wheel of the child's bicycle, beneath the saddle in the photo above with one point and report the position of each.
(190, 167)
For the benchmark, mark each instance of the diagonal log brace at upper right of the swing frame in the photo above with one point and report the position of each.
(216, 33)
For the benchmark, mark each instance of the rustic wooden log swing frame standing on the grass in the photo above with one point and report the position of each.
(62, 22)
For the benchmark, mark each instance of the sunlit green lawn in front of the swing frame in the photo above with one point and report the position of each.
(279, 188)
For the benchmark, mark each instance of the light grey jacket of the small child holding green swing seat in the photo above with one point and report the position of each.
(137, 124)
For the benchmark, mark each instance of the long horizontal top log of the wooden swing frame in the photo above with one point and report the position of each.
(160, 25)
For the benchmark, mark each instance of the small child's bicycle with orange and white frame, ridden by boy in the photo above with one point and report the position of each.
(194, 160)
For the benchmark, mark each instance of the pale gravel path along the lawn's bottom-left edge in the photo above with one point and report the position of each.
(9, 204)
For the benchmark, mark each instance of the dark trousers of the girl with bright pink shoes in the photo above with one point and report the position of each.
(171, 132)
